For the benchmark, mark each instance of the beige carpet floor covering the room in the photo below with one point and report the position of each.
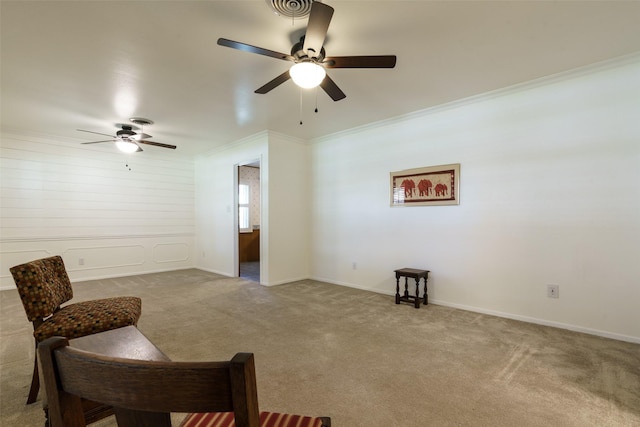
(357, 357)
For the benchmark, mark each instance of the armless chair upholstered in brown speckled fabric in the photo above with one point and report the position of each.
(44, 285)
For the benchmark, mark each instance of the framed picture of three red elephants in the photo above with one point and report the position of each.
(429, 186)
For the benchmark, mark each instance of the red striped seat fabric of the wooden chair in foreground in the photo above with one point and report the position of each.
(267, 419)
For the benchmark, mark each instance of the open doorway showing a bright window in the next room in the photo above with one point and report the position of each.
(249, 221)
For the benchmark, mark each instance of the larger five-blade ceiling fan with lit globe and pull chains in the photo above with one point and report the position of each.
(309, 57)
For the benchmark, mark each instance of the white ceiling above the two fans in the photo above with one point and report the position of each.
(70, 65)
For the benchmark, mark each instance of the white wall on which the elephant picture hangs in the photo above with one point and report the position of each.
(550, 194)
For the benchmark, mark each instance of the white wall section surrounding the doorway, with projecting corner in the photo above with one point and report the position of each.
(284, 235)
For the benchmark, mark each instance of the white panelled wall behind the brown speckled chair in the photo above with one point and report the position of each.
(82, 202)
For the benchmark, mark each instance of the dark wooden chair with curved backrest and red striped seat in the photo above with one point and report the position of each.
(143, 393)
